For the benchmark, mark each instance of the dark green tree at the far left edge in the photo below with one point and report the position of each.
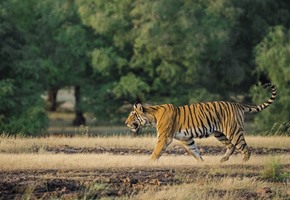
(21, 108)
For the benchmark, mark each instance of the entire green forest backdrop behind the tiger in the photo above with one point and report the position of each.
(117, 52)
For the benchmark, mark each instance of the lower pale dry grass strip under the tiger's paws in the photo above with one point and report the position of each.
(92, 161)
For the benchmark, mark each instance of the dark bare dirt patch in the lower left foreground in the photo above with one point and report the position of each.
(93, 184)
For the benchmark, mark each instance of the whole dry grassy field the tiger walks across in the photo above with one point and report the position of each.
(71, 168)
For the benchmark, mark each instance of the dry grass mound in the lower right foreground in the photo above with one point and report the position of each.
(226, 188)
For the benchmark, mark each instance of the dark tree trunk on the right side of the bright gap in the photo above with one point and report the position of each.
(79, 117)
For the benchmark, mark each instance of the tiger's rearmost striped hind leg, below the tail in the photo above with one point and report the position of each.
(239, 141)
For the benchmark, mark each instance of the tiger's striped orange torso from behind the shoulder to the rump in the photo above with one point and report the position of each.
(202, 119)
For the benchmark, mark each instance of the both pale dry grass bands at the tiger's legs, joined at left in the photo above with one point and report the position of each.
(17, 153)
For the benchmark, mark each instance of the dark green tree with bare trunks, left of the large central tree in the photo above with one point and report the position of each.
(63, 44)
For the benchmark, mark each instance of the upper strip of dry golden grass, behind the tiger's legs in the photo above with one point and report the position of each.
(22, 145)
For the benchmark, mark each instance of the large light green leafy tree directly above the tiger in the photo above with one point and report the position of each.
(161, 51)
